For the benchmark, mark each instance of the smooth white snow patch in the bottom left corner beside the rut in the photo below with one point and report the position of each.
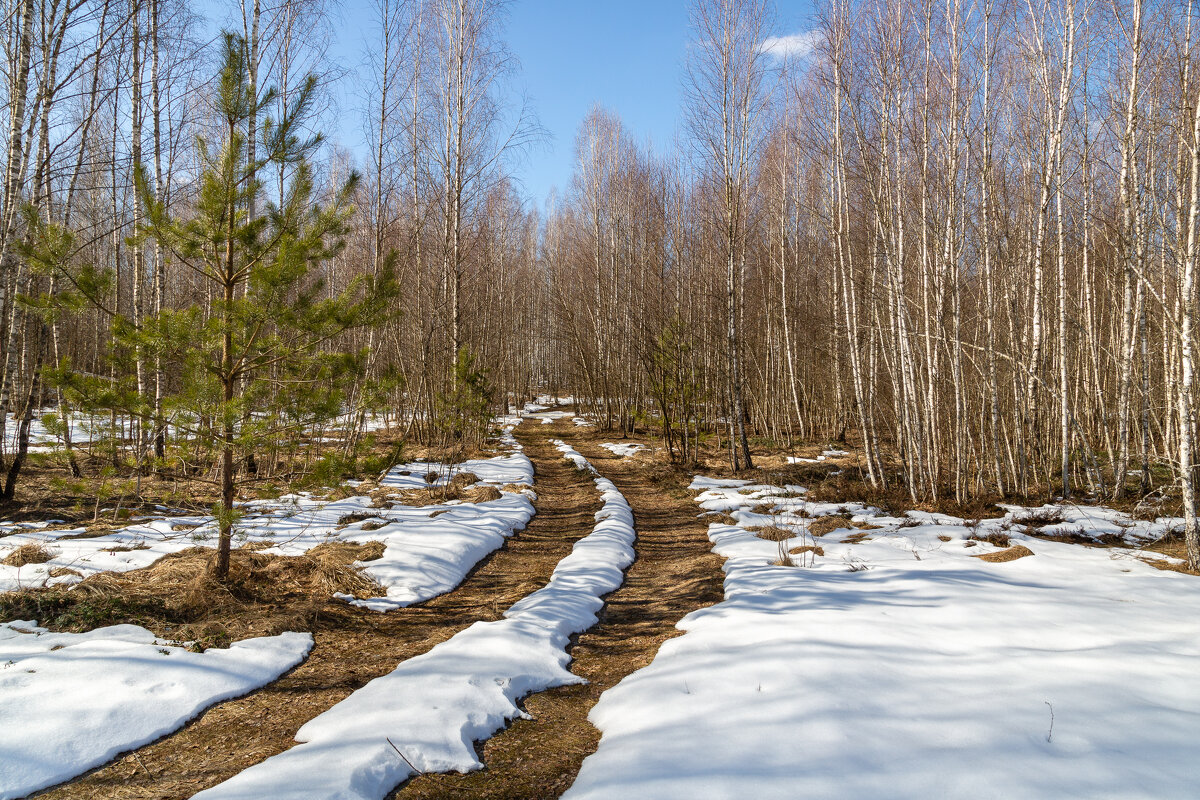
(75, 701)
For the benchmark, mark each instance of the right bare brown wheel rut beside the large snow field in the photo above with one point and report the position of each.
(675, 574)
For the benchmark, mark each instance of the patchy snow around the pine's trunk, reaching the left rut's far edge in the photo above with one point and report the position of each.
(429, 550)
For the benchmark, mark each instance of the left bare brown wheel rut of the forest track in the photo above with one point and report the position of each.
(352, 648)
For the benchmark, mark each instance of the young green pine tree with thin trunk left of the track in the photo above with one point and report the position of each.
(265, 340)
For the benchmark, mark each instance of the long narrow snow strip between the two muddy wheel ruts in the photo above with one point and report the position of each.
(429, 712)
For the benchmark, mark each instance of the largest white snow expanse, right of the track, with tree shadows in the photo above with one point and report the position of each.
(902, 667)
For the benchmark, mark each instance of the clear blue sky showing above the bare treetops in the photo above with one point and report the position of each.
(625, 55)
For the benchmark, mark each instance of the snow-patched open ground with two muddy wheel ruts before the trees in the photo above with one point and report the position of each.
(515, 633)
